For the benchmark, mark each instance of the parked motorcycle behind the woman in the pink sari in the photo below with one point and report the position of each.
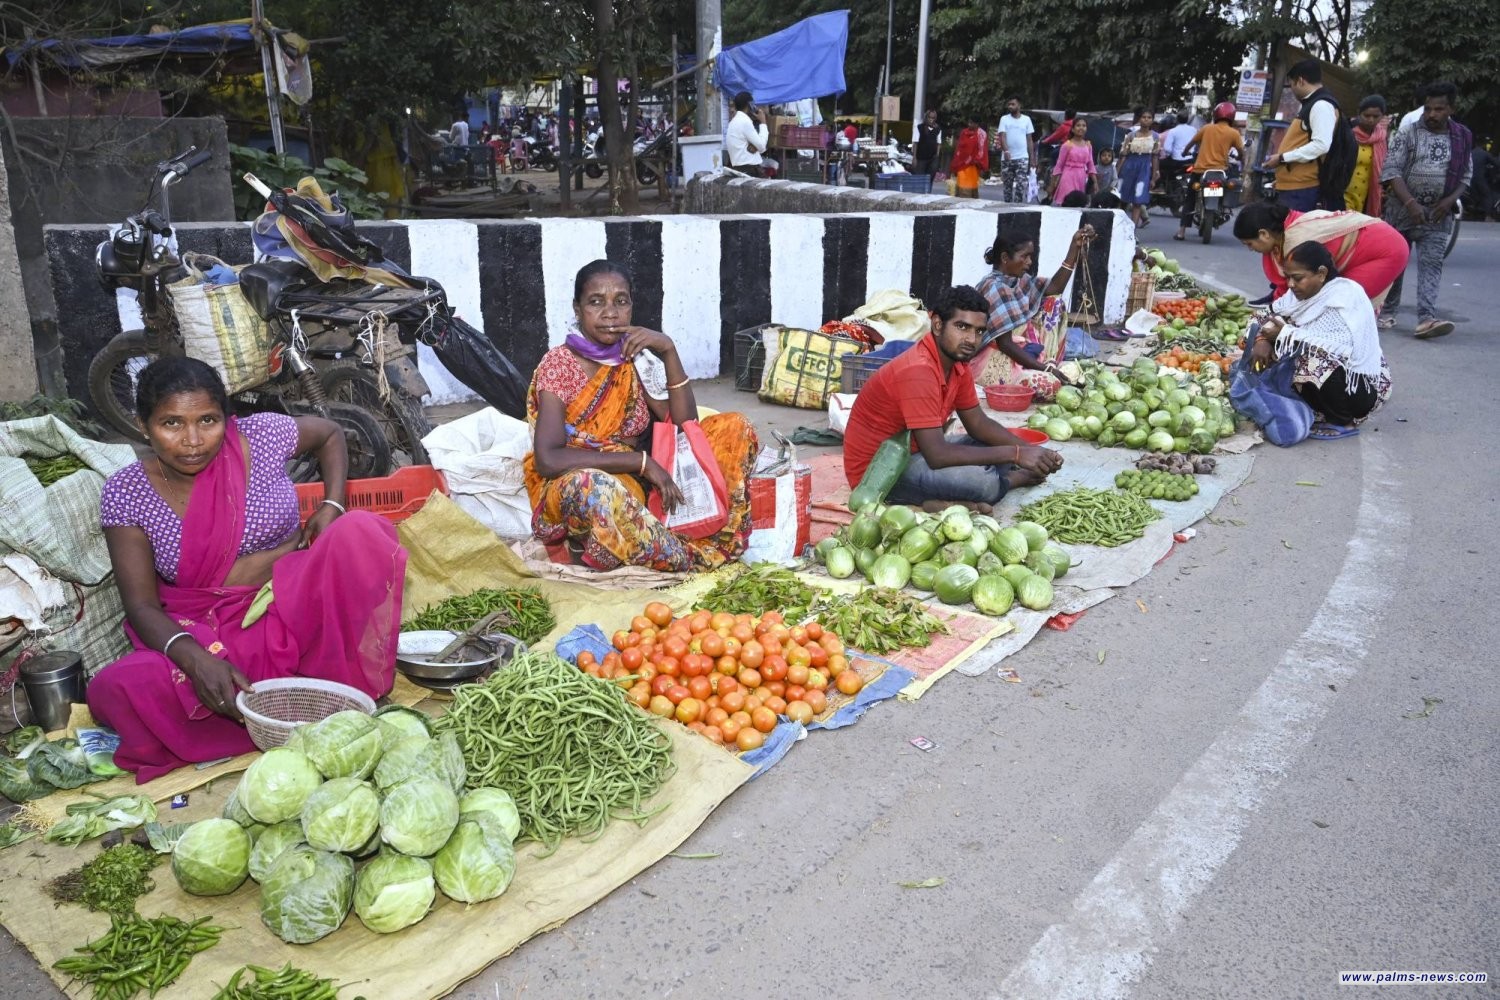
(340, 350)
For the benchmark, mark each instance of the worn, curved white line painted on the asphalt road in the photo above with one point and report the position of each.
(1138, 899)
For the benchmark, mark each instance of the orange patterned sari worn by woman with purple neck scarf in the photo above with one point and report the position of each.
(605, 515)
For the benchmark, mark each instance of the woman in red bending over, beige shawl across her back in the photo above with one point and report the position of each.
(1367, 251)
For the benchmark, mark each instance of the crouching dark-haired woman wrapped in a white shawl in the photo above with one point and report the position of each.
(1328, 323)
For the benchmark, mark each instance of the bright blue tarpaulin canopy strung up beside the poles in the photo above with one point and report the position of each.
(805, 61)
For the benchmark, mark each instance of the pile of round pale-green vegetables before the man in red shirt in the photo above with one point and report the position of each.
(959, 557)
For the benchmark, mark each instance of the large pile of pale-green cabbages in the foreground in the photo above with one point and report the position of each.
(358, 812)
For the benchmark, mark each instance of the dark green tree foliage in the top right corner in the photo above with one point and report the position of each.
(1415, 43)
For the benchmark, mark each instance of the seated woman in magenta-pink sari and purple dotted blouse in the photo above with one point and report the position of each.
(202, 534)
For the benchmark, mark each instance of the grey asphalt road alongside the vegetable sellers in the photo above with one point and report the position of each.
(1282, 767)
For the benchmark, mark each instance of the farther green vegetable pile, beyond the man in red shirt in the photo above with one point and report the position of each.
(1142, 407)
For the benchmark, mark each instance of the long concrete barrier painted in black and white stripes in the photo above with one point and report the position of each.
(698, 278)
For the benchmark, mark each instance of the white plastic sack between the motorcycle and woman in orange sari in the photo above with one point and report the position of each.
(482, 458)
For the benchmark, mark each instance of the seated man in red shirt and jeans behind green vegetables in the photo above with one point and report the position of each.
(920, 392)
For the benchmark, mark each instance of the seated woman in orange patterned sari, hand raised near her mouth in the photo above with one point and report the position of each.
(590, 407)
